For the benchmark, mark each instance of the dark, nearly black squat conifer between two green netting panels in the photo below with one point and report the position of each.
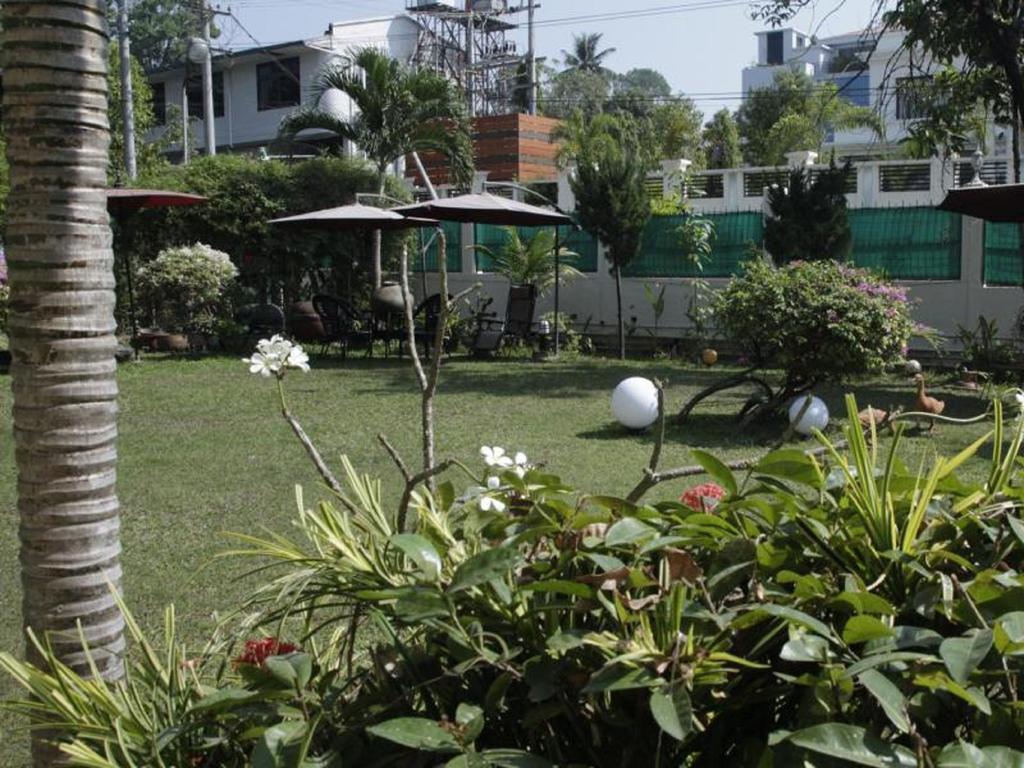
(808, 220)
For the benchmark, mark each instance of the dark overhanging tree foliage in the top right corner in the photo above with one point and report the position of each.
(988, 34)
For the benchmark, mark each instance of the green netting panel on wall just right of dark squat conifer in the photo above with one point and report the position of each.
(908, 243)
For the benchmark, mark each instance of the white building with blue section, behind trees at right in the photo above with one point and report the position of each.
(871, 70)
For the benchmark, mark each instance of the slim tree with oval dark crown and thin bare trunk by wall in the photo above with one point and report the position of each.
(612, 199)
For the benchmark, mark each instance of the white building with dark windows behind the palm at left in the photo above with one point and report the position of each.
(254, 90)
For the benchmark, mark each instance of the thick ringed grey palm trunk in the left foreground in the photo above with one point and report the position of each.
(62, 329)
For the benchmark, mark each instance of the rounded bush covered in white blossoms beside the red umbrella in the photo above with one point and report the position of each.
(186, 286)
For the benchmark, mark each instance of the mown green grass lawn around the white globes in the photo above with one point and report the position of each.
(204, 451)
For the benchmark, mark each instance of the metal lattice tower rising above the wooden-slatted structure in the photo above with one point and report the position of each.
(468, 42)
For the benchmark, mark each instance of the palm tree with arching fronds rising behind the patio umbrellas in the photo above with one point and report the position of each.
(401, 111)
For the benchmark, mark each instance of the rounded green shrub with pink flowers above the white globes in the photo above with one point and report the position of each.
(817, 321)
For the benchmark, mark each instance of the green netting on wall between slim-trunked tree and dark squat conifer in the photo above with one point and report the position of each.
(662, 257)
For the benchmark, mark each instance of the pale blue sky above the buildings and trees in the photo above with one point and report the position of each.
(701, 47)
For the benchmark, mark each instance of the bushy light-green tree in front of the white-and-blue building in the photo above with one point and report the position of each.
(795, 113)
